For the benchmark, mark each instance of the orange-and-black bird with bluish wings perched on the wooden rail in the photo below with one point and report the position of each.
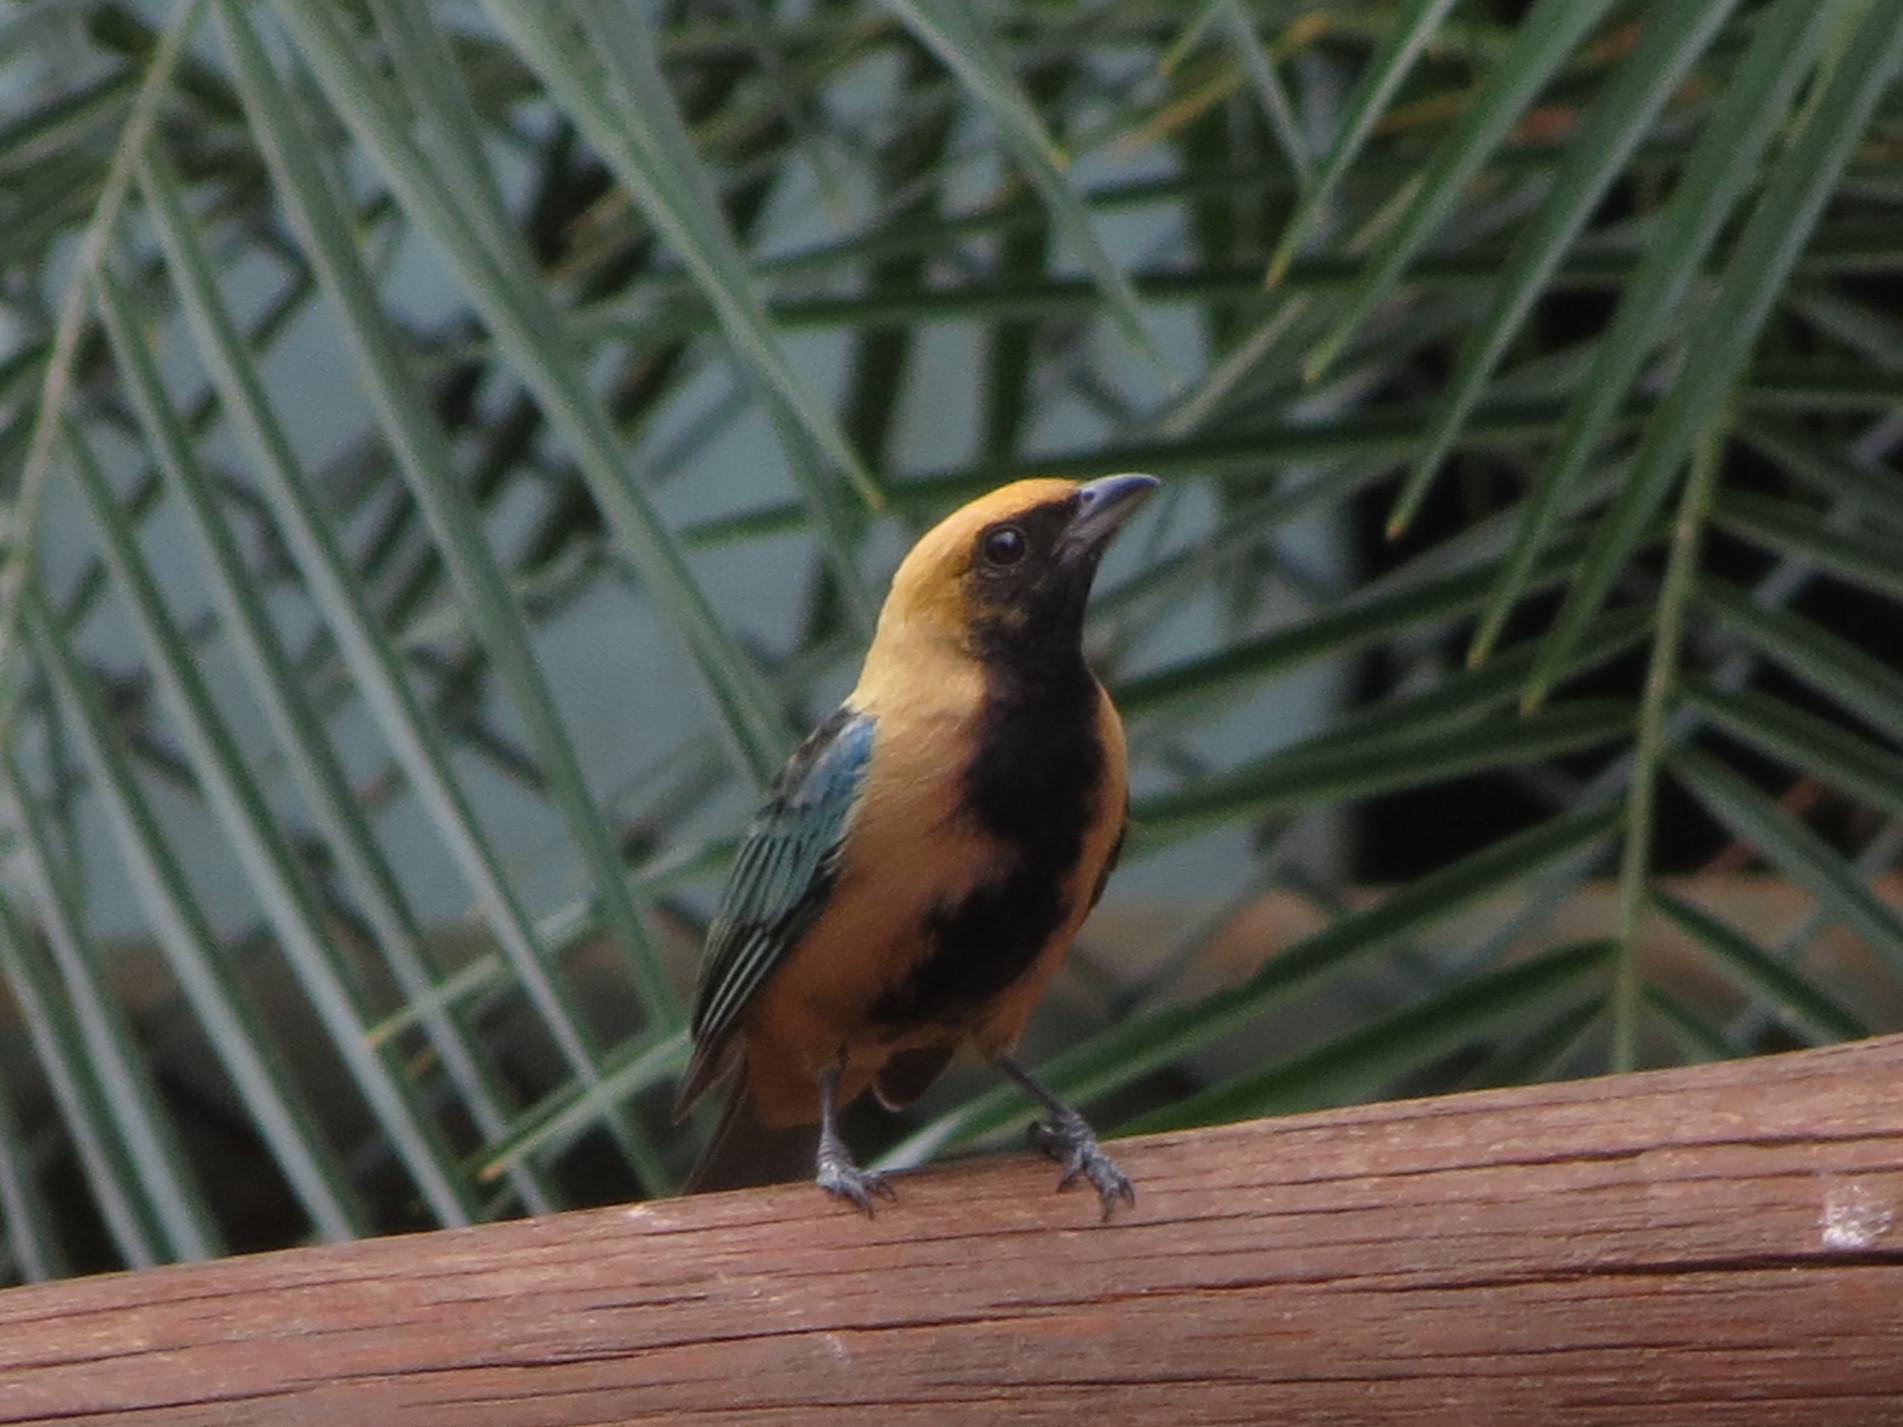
(922, 863)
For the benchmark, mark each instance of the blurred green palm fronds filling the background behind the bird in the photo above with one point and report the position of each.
(454, 450)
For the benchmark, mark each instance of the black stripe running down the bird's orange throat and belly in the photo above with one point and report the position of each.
(1036, 787)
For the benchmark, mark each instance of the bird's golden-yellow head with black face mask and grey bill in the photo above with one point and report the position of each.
(1008, 576)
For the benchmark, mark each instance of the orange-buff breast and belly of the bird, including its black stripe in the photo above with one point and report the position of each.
(971, 857)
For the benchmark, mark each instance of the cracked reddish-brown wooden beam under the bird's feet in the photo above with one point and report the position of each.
(1716, 1245)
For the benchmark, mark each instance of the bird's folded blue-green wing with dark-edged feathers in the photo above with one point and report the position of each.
(783, 870)
